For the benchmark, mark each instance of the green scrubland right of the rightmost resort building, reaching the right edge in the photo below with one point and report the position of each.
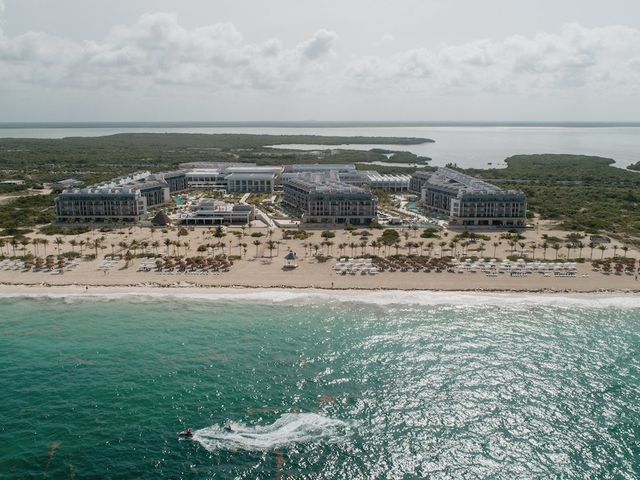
(581, 192)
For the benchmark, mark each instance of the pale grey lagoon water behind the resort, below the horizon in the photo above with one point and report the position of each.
(470, 146)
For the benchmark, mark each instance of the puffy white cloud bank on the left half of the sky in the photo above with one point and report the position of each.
(157, 50)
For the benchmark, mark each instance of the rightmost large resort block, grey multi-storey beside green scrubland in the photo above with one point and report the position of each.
(468, 201)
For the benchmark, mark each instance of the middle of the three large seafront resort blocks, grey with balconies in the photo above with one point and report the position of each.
(322, 199)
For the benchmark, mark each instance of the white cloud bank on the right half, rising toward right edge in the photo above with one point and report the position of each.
(575, 57)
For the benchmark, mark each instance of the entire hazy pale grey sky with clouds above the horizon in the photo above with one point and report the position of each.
(287, 60)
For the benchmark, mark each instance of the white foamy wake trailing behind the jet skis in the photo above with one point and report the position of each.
(289, 429)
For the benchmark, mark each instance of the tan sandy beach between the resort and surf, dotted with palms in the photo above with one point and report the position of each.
(261, 268)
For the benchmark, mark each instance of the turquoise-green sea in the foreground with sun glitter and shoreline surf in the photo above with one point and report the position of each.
(428, 385)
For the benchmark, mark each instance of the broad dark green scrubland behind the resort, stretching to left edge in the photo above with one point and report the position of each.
(93, 159)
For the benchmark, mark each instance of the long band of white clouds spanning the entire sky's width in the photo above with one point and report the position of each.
(157, 52)
